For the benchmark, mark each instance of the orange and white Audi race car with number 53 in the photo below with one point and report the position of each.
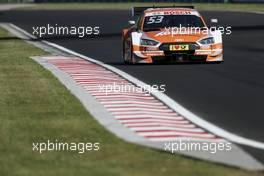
(165, 34)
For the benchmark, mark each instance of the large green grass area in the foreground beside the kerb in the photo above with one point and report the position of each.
(36, 107)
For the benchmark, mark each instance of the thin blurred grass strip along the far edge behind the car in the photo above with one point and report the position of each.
(126, 6)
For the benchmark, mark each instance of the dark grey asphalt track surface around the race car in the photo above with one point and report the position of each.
(229, 95)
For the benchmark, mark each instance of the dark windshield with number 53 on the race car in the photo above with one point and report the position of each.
(162, 21)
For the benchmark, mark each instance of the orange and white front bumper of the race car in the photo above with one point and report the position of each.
(162, 53)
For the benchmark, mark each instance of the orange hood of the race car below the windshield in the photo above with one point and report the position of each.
(169, 37)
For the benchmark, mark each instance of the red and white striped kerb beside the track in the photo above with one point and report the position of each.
(144, 114)
